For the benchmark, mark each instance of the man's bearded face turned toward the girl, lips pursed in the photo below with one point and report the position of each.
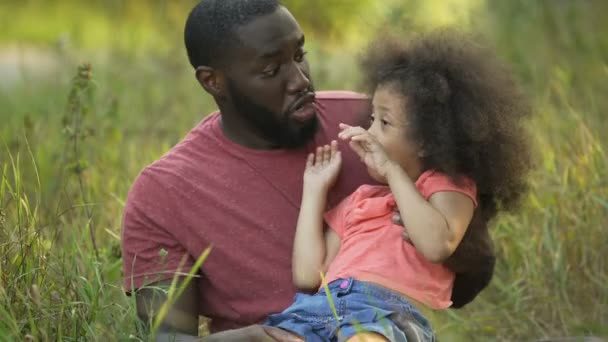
(268, 80)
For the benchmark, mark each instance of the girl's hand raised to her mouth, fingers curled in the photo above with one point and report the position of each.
(367, 148)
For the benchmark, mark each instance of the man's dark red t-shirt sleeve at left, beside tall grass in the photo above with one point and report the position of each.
(150, 252)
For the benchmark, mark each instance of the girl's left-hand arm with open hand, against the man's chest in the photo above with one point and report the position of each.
(315, 246)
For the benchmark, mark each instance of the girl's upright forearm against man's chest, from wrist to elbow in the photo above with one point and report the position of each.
(309, 244)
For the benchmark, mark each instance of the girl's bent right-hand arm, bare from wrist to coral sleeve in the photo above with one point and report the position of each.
(435, 227)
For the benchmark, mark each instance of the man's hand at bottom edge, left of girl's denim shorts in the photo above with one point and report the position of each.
(253, 333)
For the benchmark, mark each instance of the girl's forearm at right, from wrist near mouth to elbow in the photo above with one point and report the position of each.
(427, 228)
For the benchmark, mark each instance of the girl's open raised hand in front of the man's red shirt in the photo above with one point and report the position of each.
(323, 167)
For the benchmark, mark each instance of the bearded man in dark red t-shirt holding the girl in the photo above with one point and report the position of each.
(234, 182)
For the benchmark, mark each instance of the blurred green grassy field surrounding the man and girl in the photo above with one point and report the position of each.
(73, 137)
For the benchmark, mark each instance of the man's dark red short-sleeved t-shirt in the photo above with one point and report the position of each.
(207, 191)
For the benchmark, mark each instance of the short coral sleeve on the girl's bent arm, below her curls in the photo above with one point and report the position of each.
(431, 182)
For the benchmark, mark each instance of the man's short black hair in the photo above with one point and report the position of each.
(211, 27)
